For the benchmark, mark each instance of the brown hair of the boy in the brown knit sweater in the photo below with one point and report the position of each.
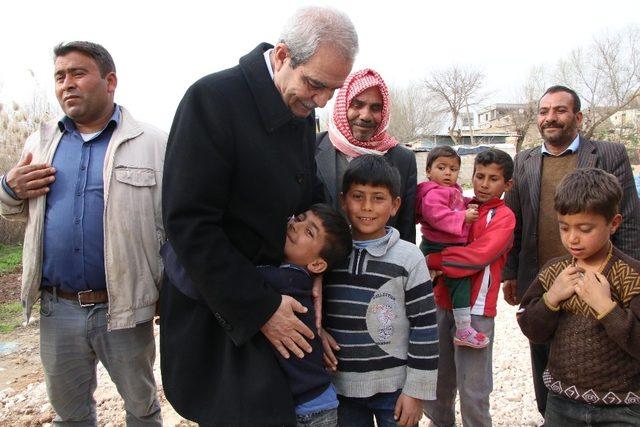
(589, 190)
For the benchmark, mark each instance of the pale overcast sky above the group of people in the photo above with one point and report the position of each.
(160, 48)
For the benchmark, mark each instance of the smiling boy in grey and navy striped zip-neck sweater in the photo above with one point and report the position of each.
(379, 308)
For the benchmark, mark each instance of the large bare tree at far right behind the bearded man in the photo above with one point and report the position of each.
(606, 75)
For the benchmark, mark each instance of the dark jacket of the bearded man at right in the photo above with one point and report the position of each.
(524, 201)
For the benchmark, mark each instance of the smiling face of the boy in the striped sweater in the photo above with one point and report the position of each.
(369, 208)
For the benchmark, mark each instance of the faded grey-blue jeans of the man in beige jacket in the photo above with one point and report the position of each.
(72, 340)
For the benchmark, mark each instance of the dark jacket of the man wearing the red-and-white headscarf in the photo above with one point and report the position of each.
(400, 157)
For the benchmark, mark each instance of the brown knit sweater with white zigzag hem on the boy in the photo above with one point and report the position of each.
(590, 360)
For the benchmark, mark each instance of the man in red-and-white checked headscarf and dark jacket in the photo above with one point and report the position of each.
(359, 126)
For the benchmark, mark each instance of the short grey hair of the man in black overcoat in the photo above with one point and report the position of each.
(313, 26)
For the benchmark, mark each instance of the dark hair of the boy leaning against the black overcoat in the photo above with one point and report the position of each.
(338, 234)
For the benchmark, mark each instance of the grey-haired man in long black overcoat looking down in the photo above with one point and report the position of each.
(239, 162)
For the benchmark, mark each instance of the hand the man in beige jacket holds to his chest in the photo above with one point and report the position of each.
(28, 180)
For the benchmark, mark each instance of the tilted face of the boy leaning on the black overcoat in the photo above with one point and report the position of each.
(305, 239)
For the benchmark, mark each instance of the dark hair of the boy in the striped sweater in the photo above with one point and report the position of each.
(370, 169)
